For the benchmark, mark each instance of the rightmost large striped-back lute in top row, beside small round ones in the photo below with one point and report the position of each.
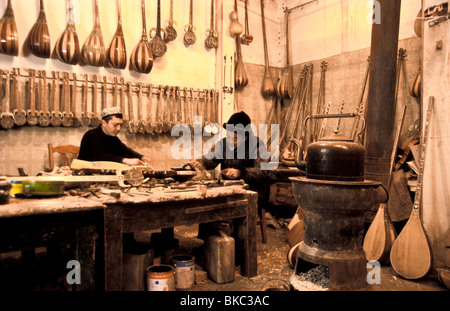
(141, 59)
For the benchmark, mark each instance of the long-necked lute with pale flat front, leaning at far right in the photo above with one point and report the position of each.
(410, 254)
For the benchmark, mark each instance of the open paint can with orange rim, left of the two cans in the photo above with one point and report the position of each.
(160, 278)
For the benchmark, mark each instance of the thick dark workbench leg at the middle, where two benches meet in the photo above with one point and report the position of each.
(113, 248)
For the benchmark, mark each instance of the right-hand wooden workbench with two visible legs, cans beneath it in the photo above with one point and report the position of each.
(139, 212)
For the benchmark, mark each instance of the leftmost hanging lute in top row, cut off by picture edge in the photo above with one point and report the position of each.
(9, 41)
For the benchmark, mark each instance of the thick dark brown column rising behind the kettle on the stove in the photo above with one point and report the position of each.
(381, 108)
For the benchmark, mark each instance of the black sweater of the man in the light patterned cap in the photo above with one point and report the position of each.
(97, 146)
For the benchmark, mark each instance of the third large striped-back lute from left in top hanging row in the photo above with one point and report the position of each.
(67, 46)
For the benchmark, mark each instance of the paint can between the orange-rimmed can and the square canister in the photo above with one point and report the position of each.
(184, 271)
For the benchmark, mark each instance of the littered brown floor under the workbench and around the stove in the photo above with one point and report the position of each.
(274, 272)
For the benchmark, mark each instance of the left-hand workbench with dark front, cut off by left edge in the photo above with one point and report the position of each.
(26, 224)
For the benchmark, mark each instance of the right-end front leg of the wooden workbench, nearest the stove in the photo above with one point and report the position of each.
(246, 239)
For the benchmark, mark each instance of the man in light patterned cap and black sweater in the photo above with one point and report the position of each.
(102, 143)
